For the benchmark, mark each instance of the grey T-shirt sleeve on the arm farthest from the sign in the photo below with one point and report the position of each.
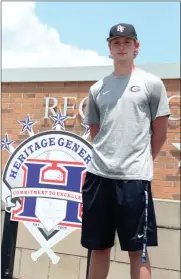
(159, 101)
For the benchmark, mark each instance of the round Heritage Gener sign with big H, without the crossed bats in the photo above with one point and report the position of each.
(45, 174)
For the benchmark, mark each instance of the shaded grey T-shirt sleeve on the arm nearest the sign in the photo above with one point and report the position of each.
(92, 110)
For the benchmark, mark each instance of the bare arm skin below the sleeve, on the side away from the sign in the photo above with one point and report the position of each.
(159, 134)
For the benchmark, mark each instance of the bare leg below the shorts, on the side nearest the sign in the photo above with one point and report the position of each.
(99, 264)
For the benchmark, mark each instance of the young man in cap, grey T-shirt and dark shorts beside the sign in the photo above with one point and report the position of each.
(127, 113)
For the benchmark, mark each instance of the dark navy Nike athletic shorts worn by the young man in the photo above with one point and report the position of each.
(122, 206)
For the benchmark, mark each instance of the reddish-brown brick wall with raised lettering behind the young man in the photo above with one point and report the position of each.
(18, 99)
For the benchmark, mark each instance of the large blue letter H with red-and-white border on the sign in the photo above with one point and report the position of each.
(49, 176)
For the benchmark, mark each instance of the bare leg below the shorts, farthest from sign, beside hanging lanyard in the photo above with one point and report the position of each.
(137, 268)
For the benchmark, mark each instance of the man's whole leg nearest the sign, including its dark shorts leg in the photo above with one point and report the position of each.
(98, 223)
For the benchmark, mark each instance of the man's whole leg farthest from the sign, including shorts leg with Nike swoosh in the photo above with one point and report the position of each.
(136, 224)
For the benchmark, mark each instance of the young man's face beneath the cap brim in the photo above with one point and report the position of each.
(123, 48)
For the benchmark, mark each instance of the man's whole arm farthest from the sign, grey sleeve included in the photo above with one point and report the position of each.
(159, 113)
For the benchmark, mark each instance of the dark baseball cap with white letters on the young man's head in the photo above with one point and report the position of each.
(122, 30)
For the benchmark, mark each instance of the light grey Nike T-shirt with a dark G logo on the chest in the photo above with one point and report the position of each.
(124, 107)
